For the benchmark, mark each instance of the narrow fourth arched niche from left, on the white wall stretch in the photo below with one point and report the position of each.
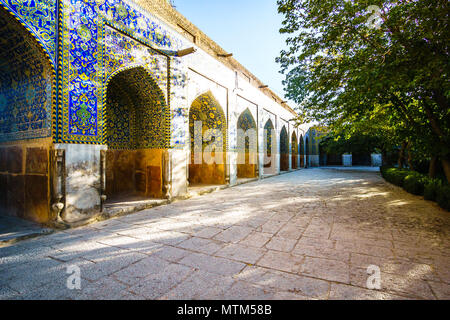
(247, 146)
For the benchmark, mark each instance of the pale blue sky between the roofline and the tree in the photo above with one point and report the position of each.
(247, 28)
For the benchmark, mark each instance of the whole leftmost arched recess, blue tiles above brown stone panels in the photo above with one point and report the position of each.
(26, 79)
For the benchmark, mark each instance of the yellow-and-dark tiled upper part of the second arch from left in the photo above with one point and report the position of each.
(137, 115)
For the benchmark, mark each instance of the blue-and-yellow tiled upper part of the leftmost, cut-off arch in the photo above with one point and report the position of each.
(27, 82)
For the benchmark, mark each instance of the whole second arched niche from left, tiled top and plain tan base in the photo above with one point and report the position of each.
(136, 135)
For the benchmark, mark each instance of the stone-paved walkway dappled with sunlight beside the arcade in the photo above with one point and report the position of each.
(310, 234)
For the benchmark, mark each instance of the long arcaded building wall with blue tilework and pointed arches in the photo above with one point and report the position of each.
(138, 137)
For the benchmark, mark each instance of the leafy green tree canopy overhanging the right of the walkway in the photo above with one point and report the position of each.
(342, 69)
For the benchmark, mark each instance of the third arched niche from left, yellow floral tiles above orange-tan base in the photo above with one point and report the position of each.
(208, 156)
